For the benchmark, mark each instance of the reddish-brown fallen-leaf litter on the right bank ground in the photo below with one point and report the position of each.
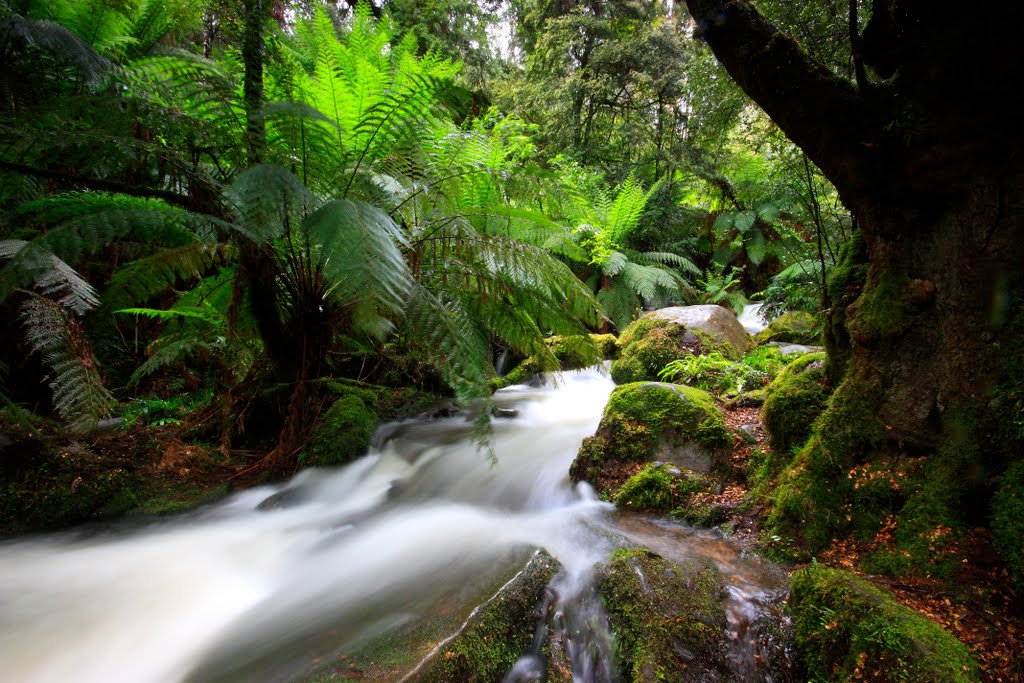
(977, 605)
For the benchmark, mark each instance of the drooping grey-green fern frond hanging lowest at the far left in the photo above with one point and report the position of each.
(79, 396)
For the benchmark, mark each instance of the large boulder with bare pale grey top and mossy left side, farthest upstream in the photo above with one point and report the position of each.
(662, 336)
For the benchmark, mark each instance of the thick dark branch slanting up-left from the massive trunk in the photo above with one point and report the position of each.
(821, 113)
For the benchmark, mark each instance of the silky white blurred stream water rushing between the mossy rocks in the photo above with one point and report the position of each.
(254, 589)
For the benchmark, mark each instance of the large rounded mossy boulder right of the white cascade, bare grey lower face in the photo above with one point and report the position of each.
(649, 421)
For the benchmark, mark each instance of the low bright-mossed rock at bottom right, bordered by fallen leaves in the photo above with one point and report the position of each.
(848, 630)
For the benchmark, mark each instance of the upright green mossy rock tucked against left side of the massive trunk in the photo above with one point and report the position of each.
(794, 400)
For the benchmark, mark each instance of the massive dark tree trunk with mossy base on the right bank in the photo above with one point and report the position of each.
(920, 151)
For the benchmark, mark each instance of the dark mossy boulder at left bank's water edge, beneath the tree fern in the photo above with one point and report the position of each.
(344, 433)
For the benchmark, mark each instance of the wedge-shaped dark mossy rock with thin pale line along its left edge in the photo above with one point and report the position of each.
(498, 634)
